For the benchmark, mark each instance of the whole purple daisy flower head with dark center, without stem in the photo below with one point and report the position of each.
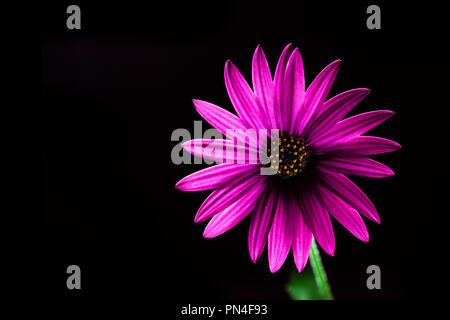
(317, 148)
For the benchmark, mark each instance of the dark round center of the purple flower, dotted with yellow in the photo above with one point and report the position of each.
(292, 156)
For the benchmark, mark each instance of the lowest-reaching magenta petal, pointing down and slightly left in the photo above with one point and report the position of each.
(280, 235)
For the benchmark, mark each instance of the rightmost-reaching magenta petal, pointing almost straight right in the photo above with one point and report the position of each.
(361, 146)
